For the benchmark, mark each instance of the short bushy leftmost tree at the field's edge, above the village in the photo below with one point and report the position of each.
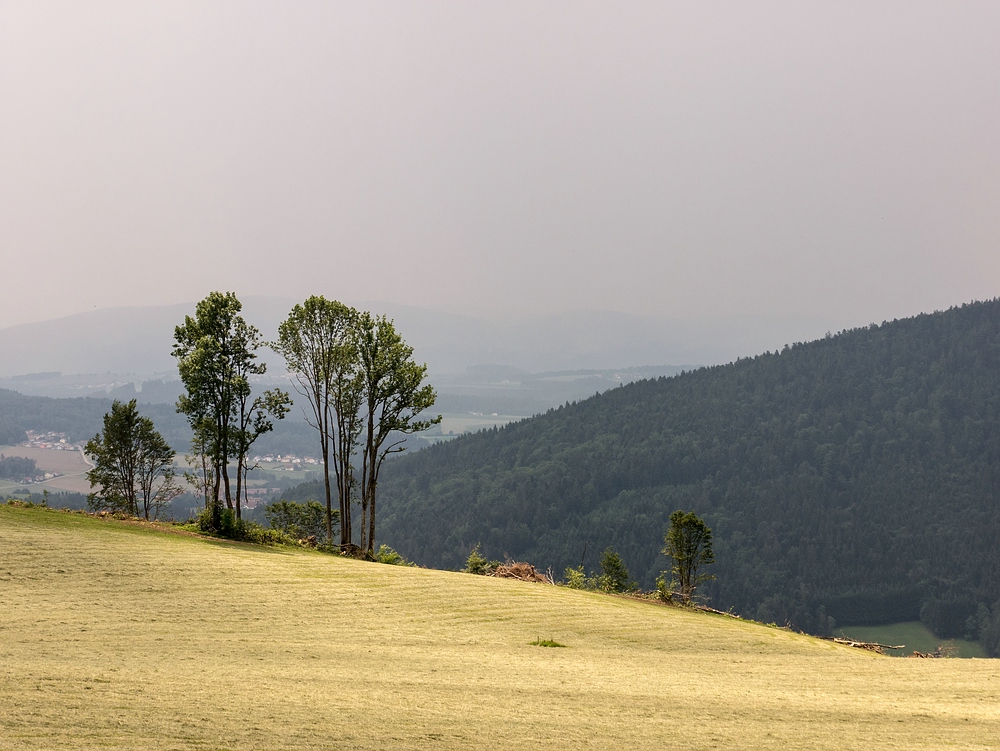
(133, 465)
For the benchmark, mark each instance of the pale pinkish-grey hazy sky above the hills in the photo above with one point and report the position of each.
(689, 160)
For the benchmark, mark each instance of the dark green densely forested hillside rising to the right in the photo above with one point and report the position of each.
(853, 478)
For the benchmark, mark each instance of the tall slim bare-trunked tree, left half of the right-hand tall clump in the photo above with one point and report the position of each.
(318, 341)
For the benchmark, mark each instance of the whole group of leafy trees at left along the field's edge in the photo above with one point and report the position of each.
(358, 376)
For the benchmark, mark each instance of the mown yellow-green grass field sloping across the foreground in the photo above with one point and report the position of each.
(116, 636)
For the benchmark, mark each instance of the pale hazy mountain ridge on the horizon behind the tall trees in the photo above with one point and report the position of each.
(138, 340)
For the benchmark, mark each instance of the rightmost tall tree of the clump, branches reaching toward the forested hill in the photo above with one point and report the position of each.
(393, 399)
